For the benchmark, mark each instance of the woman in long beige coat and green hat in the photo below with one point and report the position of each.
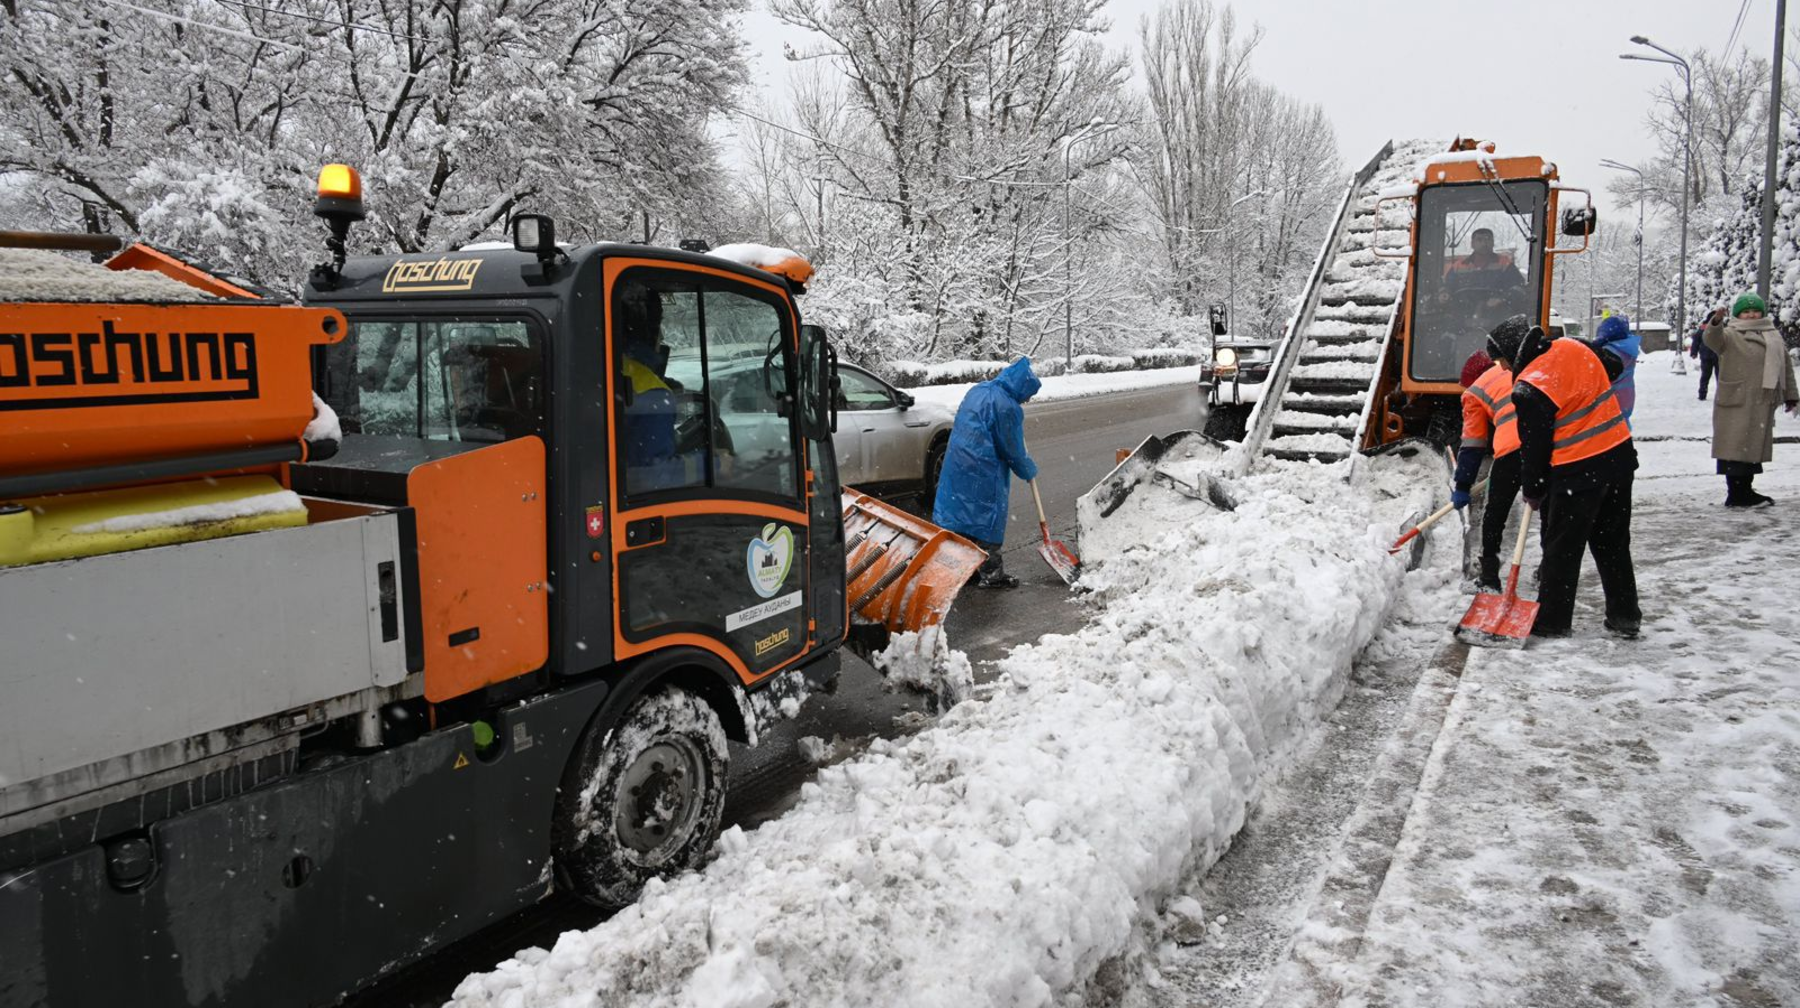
(1754, 379)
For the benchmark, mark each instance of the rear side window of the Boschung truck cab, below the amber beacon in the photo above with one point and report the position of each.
(451, 379)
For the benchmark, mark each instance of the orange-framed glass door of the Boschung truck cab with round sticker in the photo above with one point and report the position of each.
(708, 472)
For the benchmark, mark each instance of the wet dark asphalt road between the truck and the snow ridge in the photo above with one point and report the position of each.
(1075, 444)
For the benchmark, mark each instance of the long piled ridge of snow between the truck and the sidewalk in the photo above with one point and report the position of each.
(1009, 852)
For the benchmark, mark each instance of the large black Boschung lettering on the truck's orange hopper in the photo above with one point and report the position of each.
(121, 368)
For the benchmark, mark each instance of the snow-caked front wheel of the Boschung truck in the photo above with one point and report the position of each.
(642, 798)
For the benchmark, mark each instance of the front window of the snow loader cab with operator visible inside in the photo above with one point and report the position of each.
(1480, 262)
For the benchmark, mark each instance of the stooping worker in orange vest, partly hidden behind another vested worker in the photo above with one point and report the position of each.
(1489, 431)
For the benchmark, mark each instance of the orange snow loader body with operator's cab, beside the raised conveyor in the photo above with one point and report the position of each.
(1482, 247)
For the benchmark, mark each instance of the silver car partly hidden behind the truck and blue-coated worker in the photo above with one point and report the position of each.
(888, 444)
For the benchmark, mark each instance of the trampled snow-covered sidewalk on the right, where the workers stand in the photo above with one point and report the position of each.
(1617, 822)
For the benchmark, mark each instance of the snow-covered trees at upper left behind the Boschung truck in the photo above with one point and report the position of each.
(202, 125)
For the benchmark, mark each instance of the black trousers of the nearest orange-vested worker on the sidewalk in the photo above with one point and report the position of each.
(1590, 521)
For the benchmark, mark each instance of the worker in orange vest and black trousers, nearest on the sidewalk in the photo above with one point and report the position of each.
(1576, 465)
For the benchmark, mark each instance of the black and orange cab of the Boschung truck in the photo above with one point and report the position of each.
(654, 471)
